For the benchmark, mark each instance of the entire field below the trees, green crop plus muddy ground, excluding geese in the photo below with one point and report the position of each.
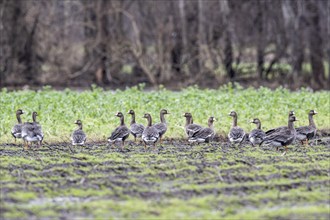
(174, 181)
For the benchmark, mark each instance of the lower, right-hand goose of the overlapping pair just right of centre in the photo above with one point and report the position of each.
(205, 134)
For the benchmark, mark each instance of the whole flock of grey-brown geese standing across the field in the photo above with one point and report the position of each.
(152, 133)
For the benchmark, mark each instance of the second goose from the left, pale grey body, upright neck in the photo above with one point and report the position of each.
(32, 132)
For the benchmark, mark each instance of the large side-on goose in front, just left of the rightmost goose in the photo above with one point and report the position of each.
(283, 137)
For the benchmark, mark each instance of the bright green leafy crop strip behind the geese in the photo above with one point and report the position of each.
(58, 110)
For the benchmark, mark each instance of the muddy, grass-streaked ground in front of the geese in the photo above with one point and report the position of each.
(175, 180)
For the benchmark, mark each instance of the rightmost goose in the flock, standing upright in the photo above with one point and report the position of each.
(306, 133)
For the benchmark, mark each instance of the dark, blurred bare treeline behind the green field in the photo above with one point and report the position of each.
(178, 42)
